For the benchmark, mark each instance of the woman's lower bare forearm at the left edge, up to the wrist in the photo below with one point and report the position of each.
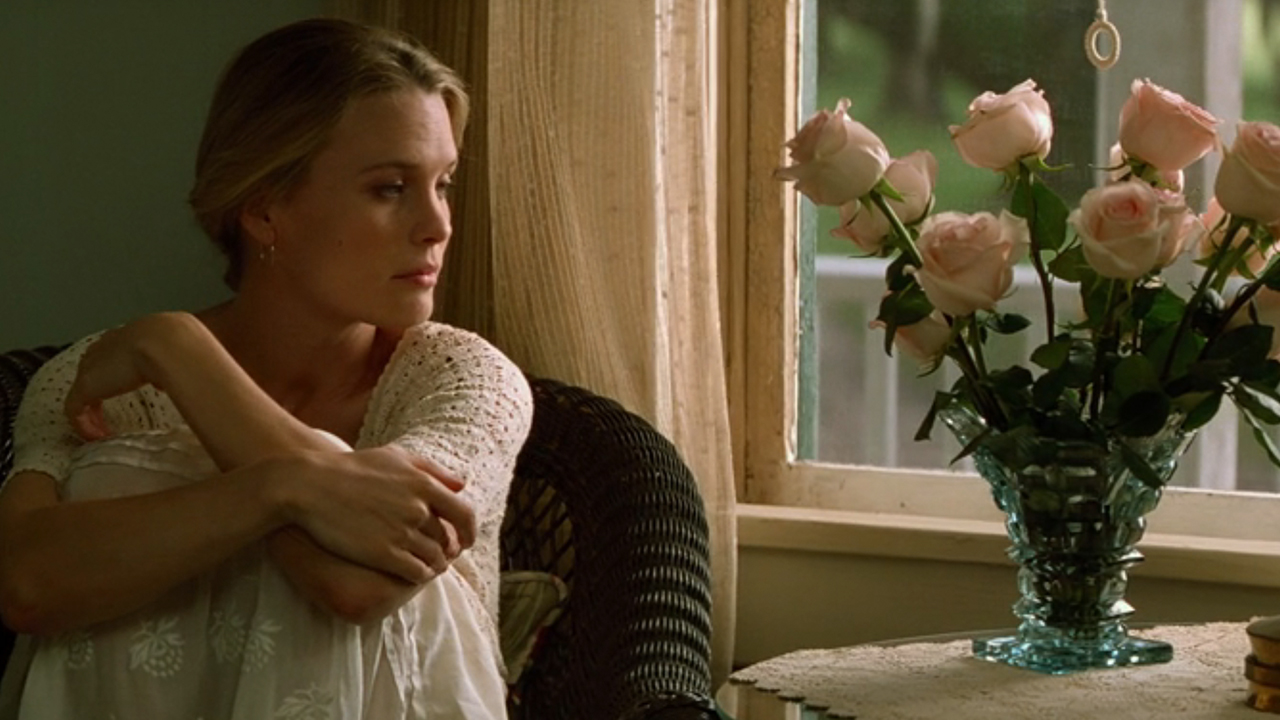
(74, 564)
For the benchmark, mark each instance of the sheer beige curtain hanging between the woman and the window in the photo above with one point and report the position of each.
(586, 240)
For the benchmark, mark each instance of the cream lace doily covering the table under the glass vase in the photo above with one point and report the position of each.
(930, 681)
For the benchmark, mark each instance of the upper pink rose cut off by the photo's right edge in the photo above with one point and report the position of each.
(1249, 183)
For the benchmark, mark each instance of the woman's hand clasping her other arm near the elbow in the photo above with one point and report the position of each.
(382, 508)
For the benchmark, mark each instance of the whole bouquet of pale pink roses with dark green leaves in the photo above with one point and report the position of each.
(1139, 356)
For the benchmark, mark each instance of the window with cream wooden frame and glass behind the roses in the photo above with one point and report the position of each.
(803, 445)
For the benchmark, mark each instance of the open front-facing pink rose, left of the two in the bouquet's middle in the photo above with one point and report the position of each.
(970, 259)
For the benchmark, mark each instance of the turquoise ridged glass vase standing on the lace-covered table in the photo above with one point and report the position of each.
(1075, 522)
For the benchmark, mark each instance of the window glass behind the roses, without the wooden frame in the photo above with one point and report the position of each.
(911, 80)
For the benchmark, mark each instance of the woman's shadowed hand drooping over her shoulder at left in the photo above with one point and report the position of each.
(117, 363)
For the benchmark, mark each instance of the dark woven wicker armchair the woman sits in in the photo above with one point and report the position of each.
(605, 503)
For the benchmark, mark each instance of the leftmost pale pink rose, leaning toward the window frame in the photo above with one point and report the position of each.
(836, 160)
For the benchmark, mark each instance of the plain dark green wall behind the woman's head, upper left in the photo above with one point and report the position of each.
(102, 107)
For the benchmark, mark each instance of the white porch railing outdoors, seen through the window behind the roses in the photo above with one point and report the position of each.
(870, 404)
